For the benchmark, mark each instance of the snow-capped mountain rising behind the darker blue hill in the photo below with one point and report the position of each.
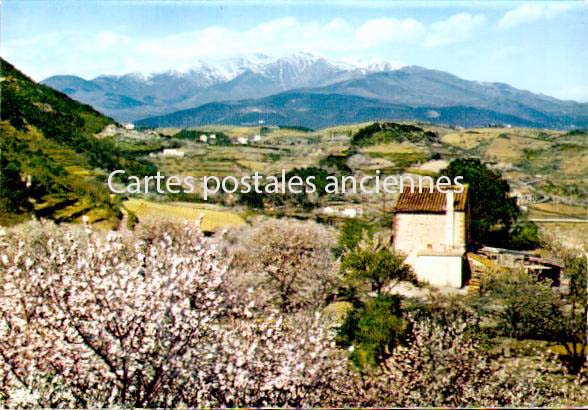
(135, 95)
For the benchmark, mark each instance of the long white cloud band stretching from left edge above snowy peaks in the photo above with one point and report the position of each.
(114, 53)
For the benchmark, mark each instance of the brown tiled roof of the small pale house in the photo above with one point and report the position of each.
(429, 202)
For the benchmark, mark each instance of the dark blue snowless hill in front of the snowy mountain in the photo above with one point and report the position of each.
(318, 110)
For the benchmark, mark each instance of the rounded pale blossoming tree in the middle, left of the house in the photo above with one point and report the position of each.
(288, 263)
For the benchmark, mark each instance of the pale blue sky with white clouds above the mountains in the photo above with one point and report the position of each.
(538, 46)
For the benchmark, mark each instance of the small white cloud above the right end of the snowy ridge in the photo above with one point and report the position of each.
(456, 28)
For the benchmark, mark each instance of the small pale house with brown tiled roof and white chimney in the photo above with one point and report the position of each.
(432, 229)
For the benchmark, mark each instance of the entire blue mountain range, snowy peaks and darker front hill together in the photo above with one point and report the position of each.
(308, 90)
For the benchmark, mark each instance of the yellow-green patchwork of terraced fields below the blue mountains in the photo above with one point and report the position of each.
(553, 162)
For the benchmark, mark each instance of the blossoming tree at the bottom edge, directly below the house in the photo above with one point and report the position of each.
(443, 365)
